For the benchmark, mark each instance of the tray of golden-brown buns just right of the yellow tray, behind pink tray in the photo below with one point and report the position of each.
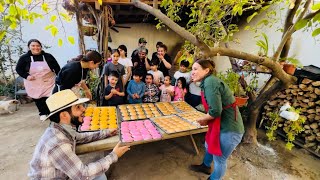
(130, 112)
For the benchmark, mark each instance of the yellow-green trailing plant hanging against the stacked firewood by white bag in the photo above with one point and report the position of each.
(292, 129)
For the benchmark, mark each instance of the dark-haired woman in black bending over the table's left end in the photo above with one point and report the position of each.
(75, 73)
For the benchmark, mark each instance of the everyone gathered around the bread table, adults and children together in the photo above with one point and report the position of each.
(135, 81)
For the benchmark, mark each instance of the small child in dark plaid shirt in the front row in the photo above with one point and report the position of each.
(152, 91)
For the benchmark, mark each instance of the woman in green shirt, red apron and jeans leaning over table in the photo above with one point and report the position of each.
(225, 126)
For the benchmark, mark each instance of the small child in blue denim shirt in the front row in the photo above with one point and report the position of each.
(136, 88)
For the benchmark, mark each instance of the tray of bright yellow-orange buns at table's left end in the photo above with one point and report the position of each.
(98, 118)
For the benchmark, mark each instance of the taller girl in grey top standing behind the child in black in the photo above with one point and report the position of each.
(114, 65)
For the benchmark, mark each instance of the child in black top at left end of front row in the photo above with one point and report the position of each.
(113, 93)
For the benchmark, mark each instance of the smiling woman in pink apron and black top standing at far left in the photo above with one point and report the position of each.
(39, 70)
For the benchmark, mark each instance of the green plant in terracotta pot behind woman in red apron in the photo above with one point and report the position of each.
(232, 80)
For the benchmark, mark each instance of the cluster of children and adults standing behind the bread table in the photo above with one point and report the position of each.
(141, 80)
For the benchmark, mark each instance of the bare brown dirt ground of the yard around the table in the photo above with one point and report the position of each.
(19, 133)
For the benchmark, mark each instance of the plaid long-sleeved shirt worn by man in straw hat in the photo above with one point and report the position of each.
(55, 158)
